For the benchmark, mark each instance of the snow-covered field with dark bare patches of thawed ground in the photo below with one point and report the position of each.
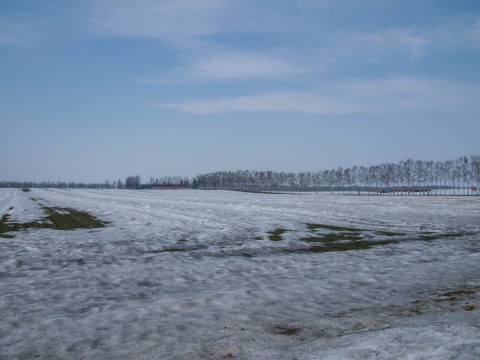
(197, 275)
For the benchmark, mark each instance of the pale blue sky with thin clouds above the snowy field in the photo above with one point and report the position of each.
(95, 90)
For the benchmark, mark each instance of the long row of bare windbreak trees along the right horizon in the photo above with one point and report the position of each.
(459, 176)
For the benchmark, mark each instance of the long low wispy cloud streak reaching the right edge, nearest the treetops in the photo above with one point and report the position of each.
(385, 95)
